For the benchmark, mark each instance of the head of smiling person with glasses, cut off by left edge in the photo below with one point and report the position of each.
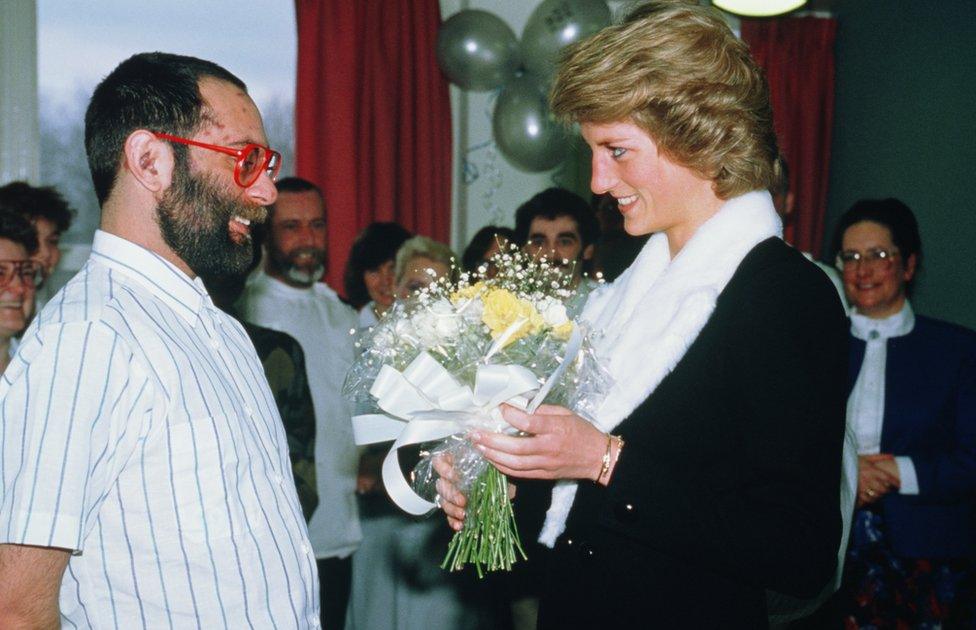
(19, 275)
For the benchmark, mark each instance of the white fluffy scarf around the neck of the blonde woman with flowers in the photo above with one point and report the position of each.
(647, 319)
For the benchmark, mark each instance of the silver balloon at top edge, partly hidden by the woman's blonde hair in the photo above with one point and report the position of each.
(556, 24)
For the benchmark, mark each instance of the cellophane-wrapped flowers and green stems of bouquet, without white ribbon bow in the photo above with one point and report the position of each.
(519, 317)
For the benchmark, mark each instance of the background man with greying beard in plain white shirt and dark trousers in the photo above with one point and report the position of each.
(286, 296)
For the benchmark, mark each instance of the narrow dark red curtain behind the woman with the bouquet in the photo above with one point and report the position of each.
(798, 57)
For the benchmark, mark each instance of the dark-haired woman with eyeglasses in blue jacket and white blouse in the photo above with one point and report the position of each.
(913, 406)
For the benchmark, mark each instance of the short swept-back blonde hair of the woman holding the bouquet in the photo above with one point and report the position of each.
(678, 72)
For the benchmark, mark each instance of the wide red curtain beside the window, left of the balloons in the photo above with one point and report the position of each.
(373, 117)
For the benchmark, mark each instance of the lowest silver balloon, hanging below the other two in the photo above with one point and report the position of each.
(524, 129)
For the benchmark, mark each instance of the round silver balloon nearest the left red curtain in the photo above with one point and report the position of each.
(477, 50)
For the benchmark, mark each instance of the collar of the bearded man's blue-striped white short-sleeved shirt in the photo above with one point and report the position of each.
(187, 296)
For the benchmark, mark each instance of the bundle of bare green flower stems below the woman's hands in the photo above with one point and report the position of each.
(489, 539)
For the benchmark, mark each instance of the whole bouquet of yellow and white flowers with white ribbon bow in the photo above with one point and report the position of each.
(438, 366)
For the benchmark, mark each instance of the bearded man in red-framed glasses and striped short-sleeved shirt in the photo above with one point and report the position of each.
(144, 473)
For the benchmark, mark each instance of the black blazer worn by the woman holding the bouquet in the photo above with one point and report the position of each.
(729, 481)
